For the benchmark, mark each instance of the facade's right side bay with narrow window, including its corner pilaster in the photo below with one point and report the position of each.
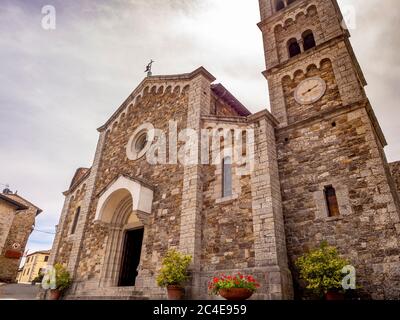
(244, 232)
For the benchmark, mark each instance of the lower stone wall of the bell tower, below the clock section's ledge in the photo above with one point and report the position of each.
(347, 156)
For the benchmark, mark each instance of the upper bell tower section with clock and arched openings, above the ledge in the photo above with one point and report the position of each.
(310, 63)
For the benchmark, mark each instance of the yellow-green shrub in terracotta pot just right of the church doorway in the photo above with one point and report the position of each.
(174, 273)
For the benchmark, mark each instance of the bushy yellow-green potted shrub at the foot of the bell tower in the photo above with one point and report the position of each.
(321, 269)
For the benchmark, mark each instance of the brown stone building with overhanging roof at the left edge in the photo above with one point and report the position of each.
(17, 219)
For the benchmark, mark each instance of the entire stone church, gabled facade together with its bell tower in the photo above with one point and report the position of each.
(318, 172)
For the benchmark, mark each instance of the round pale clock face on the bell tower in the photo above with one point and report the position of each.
(310, 90)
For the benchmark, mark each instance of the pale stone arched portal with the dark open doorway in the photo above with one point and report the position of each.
(124, 208)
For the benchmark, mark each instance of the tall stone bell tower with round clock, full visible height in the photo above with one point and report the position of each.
(335, 180)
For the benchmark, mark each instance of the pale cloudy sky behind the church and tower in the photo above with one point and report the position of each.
(58, 86)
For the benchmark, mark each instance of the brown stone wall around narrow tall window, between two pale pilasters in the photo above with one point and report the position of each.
(224, 220)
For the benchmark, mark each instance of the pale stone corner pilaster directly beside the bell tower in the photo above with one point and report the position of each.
(268, 224)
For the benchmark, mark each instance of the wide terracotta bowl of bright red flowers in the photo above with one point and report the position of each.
(235, 288)
